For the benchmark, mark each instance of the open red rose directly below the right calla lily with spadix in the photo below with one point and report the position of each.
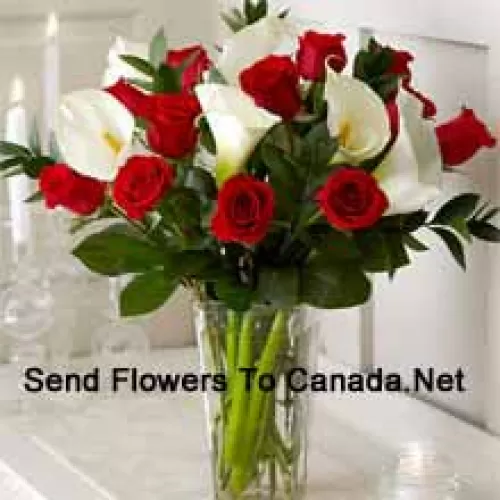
(351, 199)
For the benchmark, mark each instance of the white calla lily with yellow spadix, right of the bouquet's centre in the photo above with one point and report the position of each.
(357, 116)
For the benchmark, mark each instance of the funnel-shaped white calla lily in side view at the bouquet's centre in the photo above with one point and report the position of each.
(236, 123)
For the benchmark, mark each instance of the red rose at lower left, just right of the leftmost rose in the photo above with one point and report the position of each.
(141, 183)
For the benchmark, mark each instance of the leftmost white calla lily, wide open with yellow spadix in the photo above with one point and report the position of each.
(94, 132)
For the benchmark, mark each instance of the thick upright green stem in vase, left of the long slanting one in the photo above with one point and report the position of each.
(235, 427)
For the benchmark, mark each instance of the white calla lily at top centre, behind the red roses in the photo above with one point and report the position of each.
(251, 44)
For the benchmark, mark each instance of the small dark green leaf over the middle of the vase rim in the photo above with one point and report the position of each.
(279, 287)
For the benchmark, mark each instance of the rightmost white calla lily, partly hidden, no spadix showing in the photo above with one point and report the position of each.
(411, 174)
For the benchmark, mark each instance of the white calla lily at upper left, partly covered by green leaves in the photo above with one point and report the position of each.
(117, 68)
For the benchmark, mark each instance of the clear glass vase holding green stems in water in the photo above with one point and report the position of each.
(257, 406)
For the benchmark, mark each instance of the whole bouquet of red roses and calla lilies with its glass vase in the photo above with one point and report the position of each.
(262, 179)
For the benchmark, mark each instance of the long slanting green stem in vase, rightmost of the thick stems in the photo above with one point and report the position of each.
(242, 471)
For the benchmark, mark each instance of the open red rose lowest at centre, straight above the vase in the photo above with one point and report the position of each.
(245, 208)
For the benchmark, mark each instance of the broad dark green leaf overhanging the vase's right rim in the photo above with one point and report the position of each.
(334, 286)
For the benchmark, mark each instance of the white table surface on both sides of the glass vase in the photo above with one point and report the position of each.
(137, 447)
